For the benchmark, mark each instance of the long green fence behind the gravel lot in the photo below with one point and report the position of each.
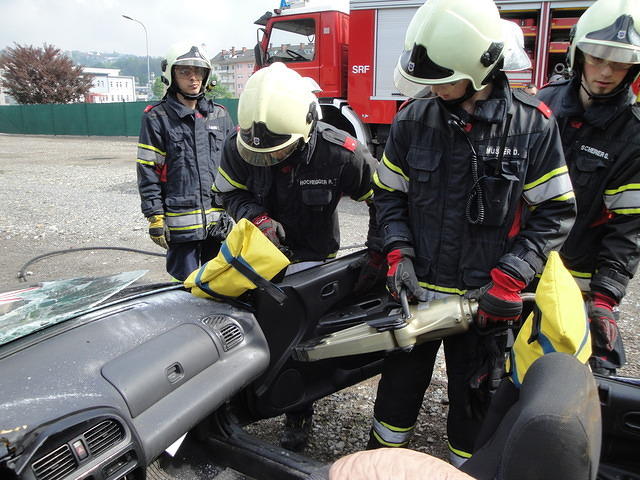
(100, 119)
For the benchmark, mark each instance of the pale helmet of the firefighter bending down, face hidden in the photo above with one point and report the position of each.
(277, 112)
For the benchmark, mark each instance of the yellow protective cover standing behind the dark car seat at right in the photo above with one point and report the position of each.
(560, 325)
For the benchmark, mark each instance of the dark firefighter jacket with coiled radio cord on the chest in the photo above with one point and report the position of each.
(425, 179)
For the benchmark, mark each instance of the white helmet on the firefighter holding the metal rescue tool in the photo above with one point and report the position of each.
(447, 41)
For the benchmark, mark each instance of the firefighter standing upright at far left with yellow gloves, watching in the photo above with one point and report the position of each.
(178, 154)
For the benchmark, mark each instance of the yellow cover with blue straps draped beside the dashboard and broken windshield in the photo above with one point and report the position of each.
(218, 278)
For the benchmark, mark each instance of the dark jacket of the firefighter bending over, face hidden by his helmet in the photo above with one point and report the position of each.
(303, 192)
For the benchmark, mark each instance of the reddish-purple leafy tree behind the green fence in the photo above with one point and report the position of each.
(42, 75)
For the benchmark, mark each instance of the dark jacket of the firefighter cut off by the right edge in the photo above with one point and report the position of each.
(602, 150)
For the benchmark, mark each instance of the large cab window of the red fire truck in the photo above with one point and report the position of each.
(293, 41)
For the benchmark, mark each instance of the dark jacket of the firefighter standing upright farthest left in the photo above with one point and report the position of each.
(178, 154)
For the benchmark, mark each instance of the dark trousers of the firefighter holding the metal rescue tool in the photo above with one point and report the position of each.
(405, 378)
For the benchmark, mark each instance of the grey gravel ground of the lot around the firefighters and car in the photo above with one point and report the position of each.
(69, 192)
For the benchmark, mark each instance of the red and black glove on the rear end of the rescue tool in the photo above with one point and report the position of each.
(500, 302)
